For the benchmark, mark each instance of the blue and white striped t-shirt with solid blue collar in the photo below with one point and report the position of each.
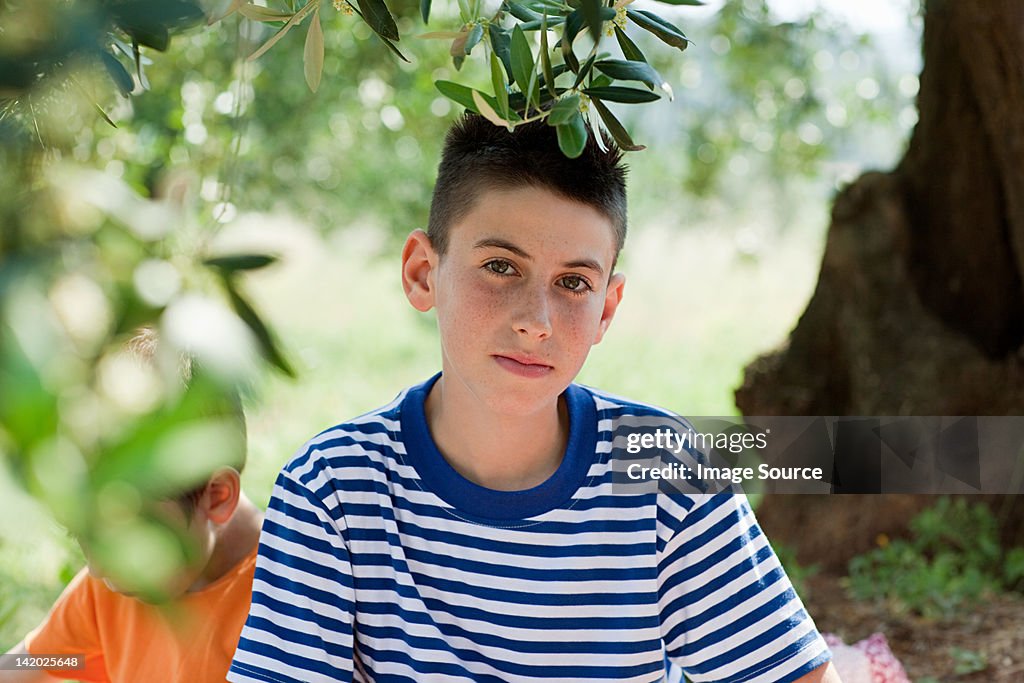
(379, 563)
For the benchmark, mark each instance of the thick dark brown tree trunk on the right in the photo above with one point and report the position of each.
(920, 304)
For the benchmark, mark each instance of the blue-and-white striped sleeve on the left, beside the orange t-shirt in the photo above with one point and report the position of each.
(301, 626)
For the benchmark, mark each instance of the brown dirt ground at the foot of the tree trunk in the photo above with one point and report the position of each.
(995, 629)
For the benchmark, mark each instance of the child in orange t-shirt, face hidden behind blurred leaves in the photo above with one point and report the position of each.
(190, 639)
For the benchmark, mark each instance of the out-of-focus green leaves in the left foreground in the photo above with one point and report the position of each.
(95, 434)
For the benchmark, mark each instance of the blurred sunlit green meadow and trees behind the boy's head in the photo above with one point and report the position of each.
(777, 106)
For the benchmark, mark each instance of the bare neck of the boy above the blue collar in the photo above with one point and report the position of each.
(497, 452)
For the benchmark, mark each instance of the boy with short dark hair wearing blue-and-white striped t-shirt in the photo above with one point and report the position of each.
(470, 530)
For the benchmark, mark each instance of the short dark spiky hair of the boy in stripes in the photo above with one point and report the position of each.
(480, 156)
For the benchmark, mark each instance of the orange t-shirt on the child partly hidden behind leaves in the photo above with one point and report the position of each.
(125, 641)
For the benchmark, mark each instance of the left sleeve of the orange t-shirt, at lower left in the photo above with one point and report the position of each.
(71, 628)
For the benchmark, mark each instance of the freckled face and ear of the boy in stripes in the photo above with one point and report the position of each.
(523, 293)
